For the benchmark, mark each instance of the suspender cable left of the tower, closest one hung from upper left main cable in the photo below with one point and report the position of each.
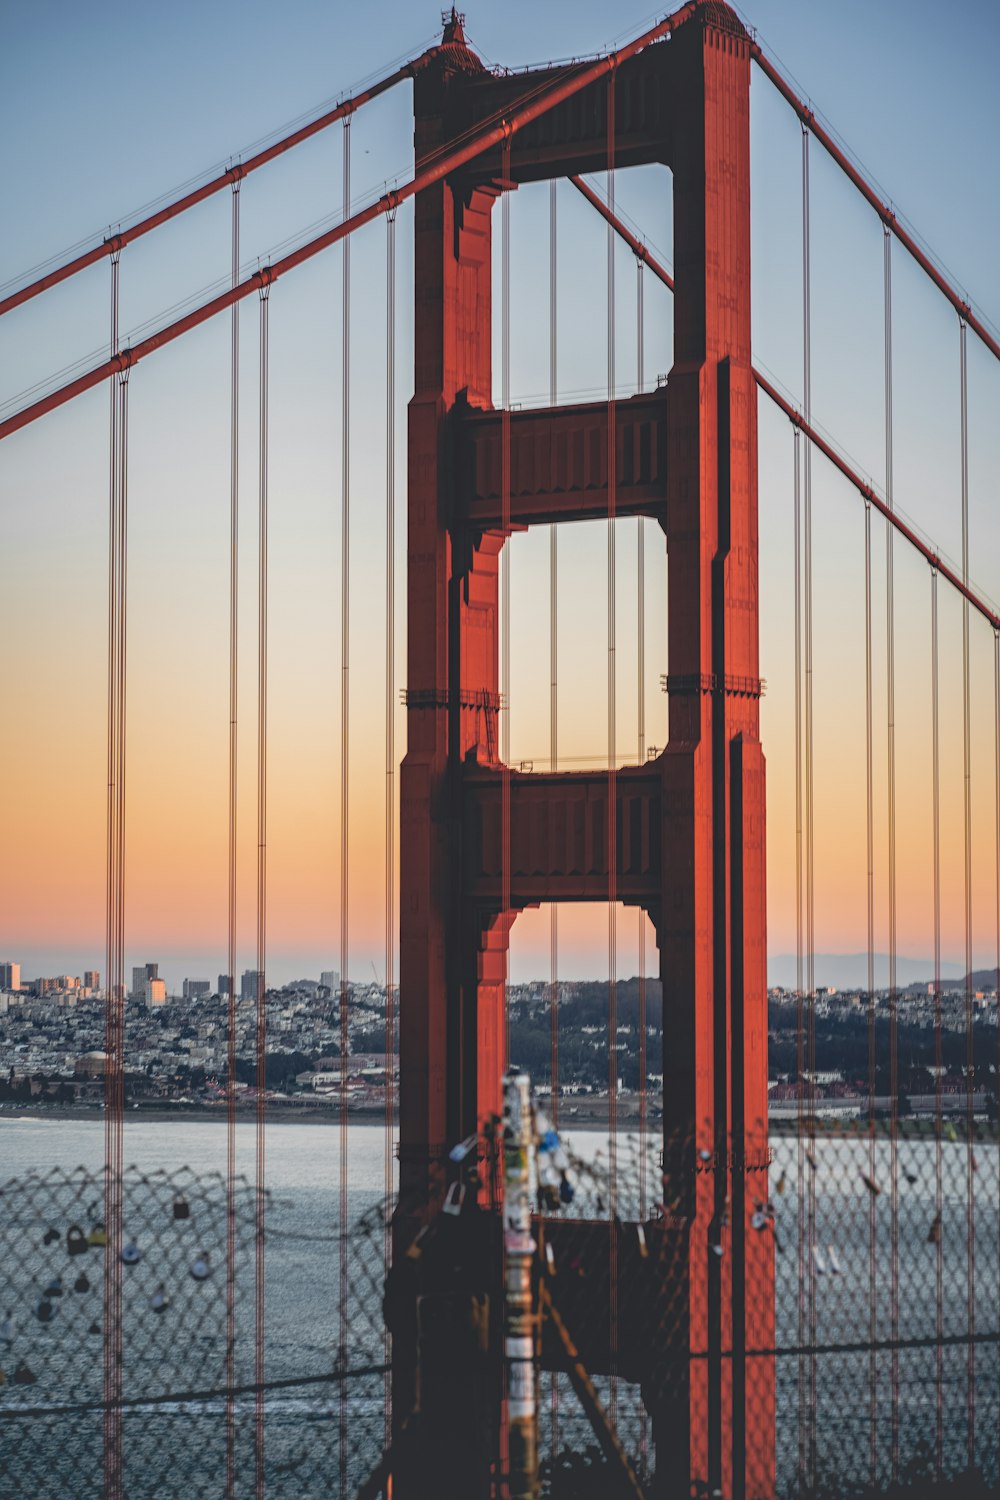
(346, 791)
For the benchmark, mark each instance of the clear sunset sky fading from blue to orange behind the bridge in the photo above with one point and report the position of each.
(107, 109)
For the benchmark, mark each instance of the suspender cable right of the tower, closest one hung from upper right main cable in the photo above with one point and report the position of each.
(810, 830)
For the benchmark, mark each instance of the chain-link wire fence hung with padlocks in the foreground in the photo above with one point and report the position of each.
(870, 1301)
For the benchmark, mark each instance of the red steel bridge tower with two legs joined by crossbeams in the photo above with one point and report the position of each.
(690, 827)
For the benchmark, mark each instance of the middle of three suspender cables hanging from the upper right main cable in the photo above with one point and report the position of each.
(891, 800)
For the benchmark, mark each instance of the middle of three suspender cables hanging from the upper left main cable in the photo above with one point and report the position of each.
(232, 928)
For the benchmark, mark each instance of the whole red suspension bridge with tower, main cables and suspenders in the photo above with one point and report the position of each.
(678, 835)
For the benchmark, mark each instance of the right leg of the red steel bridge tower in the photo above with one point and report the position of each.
(713, 926)
